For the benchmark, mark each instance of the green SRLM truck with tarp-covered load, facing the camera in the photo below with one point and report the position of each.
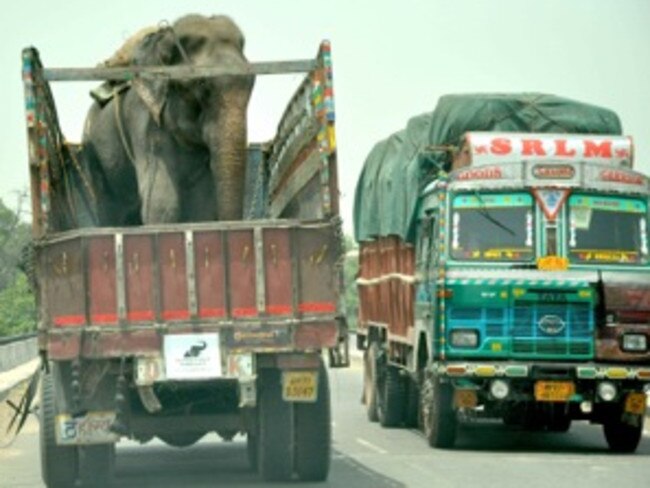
(504, 270)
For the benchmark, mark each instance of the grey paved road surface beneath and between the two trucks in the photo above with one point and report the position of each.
(365, 455)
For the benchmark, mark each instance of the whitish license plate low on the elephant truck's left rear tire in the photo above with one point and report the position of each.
(92, 428)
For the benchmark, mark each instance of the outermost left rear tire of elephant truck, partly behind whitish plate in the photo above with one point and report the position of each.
(59, 464)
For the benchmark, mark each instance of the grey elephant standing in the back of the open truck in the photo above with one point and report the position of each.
(163, 150)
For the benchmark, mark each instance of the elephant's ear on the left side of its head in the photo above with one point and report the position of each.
(155, 49)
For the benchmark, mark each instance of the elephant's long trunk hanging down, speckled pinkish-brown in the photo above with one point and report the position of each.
(227, 140)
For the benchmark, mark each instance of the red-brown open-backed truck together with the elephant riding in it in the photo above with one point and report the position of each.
(157, 318)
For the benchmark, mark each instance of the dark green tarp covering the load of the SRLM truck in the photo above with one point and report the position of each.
(398, 167)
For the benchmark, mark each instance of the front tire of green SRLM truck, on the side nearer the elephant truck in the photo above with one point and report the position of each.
(438, 414)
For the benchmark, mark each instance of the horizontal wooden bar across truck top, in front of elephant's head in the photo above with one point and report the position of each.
(176, 72)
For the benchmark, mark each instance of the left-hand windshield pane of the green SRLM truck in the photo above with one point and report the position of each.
(493, 227)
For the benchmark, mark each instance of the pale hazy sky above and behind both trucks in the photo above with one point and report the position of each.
(392, 60)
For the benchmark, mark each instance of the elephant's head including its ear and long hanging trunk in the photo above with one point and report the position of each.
(206, 113)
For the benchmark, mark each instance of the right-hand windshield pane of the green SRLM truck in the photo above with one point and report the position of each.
(604, 229)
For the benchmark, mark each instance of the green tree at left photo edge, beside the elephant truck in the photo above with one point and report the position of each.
(17, 307)
